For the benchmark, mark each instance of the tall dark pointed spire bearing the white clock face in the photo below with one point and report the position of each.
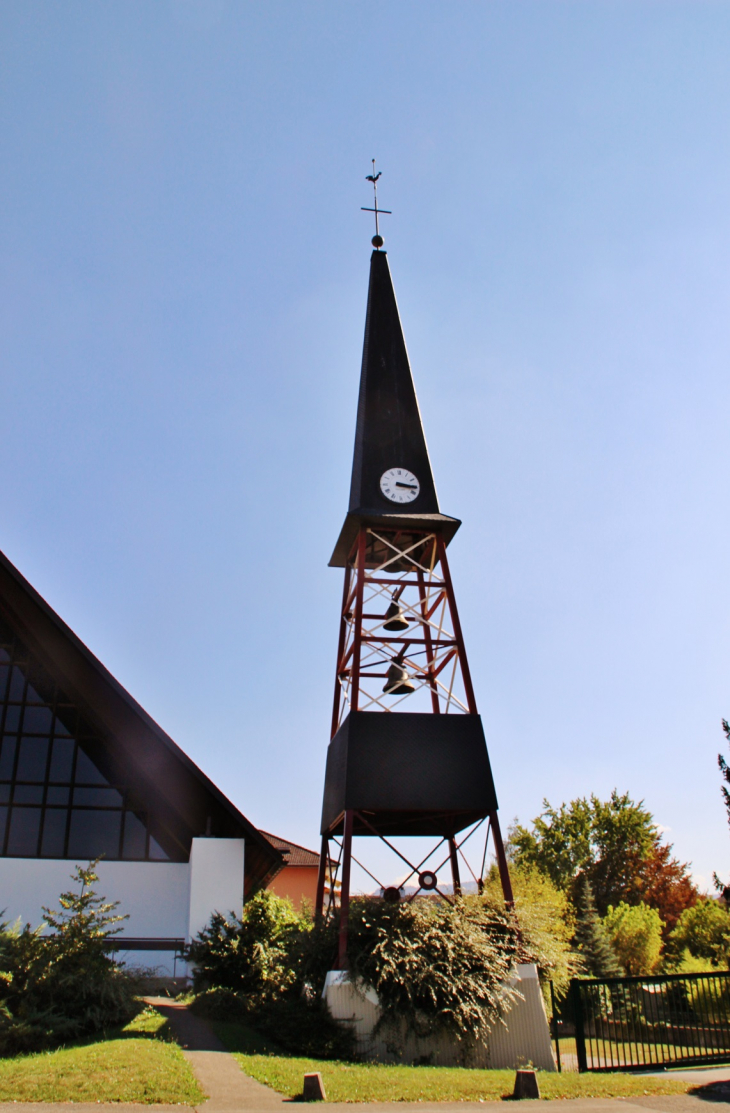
(390, 435)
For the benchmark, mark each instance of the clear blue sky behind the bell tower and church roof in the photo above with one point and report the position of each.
(184, 270)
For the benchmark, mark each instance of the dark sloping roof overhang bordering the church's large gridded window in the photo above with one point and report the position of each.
(185, 803)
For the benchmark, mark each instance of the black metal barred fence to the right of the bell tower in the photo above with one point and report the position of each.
(648, 1023)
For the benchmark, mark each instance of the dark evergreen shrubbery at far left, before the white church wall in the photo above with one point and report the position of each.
(63, 986)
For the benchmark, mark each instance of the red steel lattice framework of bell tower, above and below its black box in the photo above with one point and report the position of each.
(410, 568)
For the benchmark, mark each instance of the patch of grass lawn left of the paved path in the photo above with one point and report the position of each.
(140, 1065)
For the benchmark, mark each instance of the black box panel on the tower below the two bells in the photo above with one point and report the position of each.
(408, 774)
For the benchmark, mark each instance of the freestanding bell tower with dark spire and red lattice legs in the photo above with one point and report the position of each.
(408, 754)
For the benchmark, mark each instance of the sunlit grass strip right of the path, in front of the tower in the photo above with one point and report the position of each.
(373, 1082)
